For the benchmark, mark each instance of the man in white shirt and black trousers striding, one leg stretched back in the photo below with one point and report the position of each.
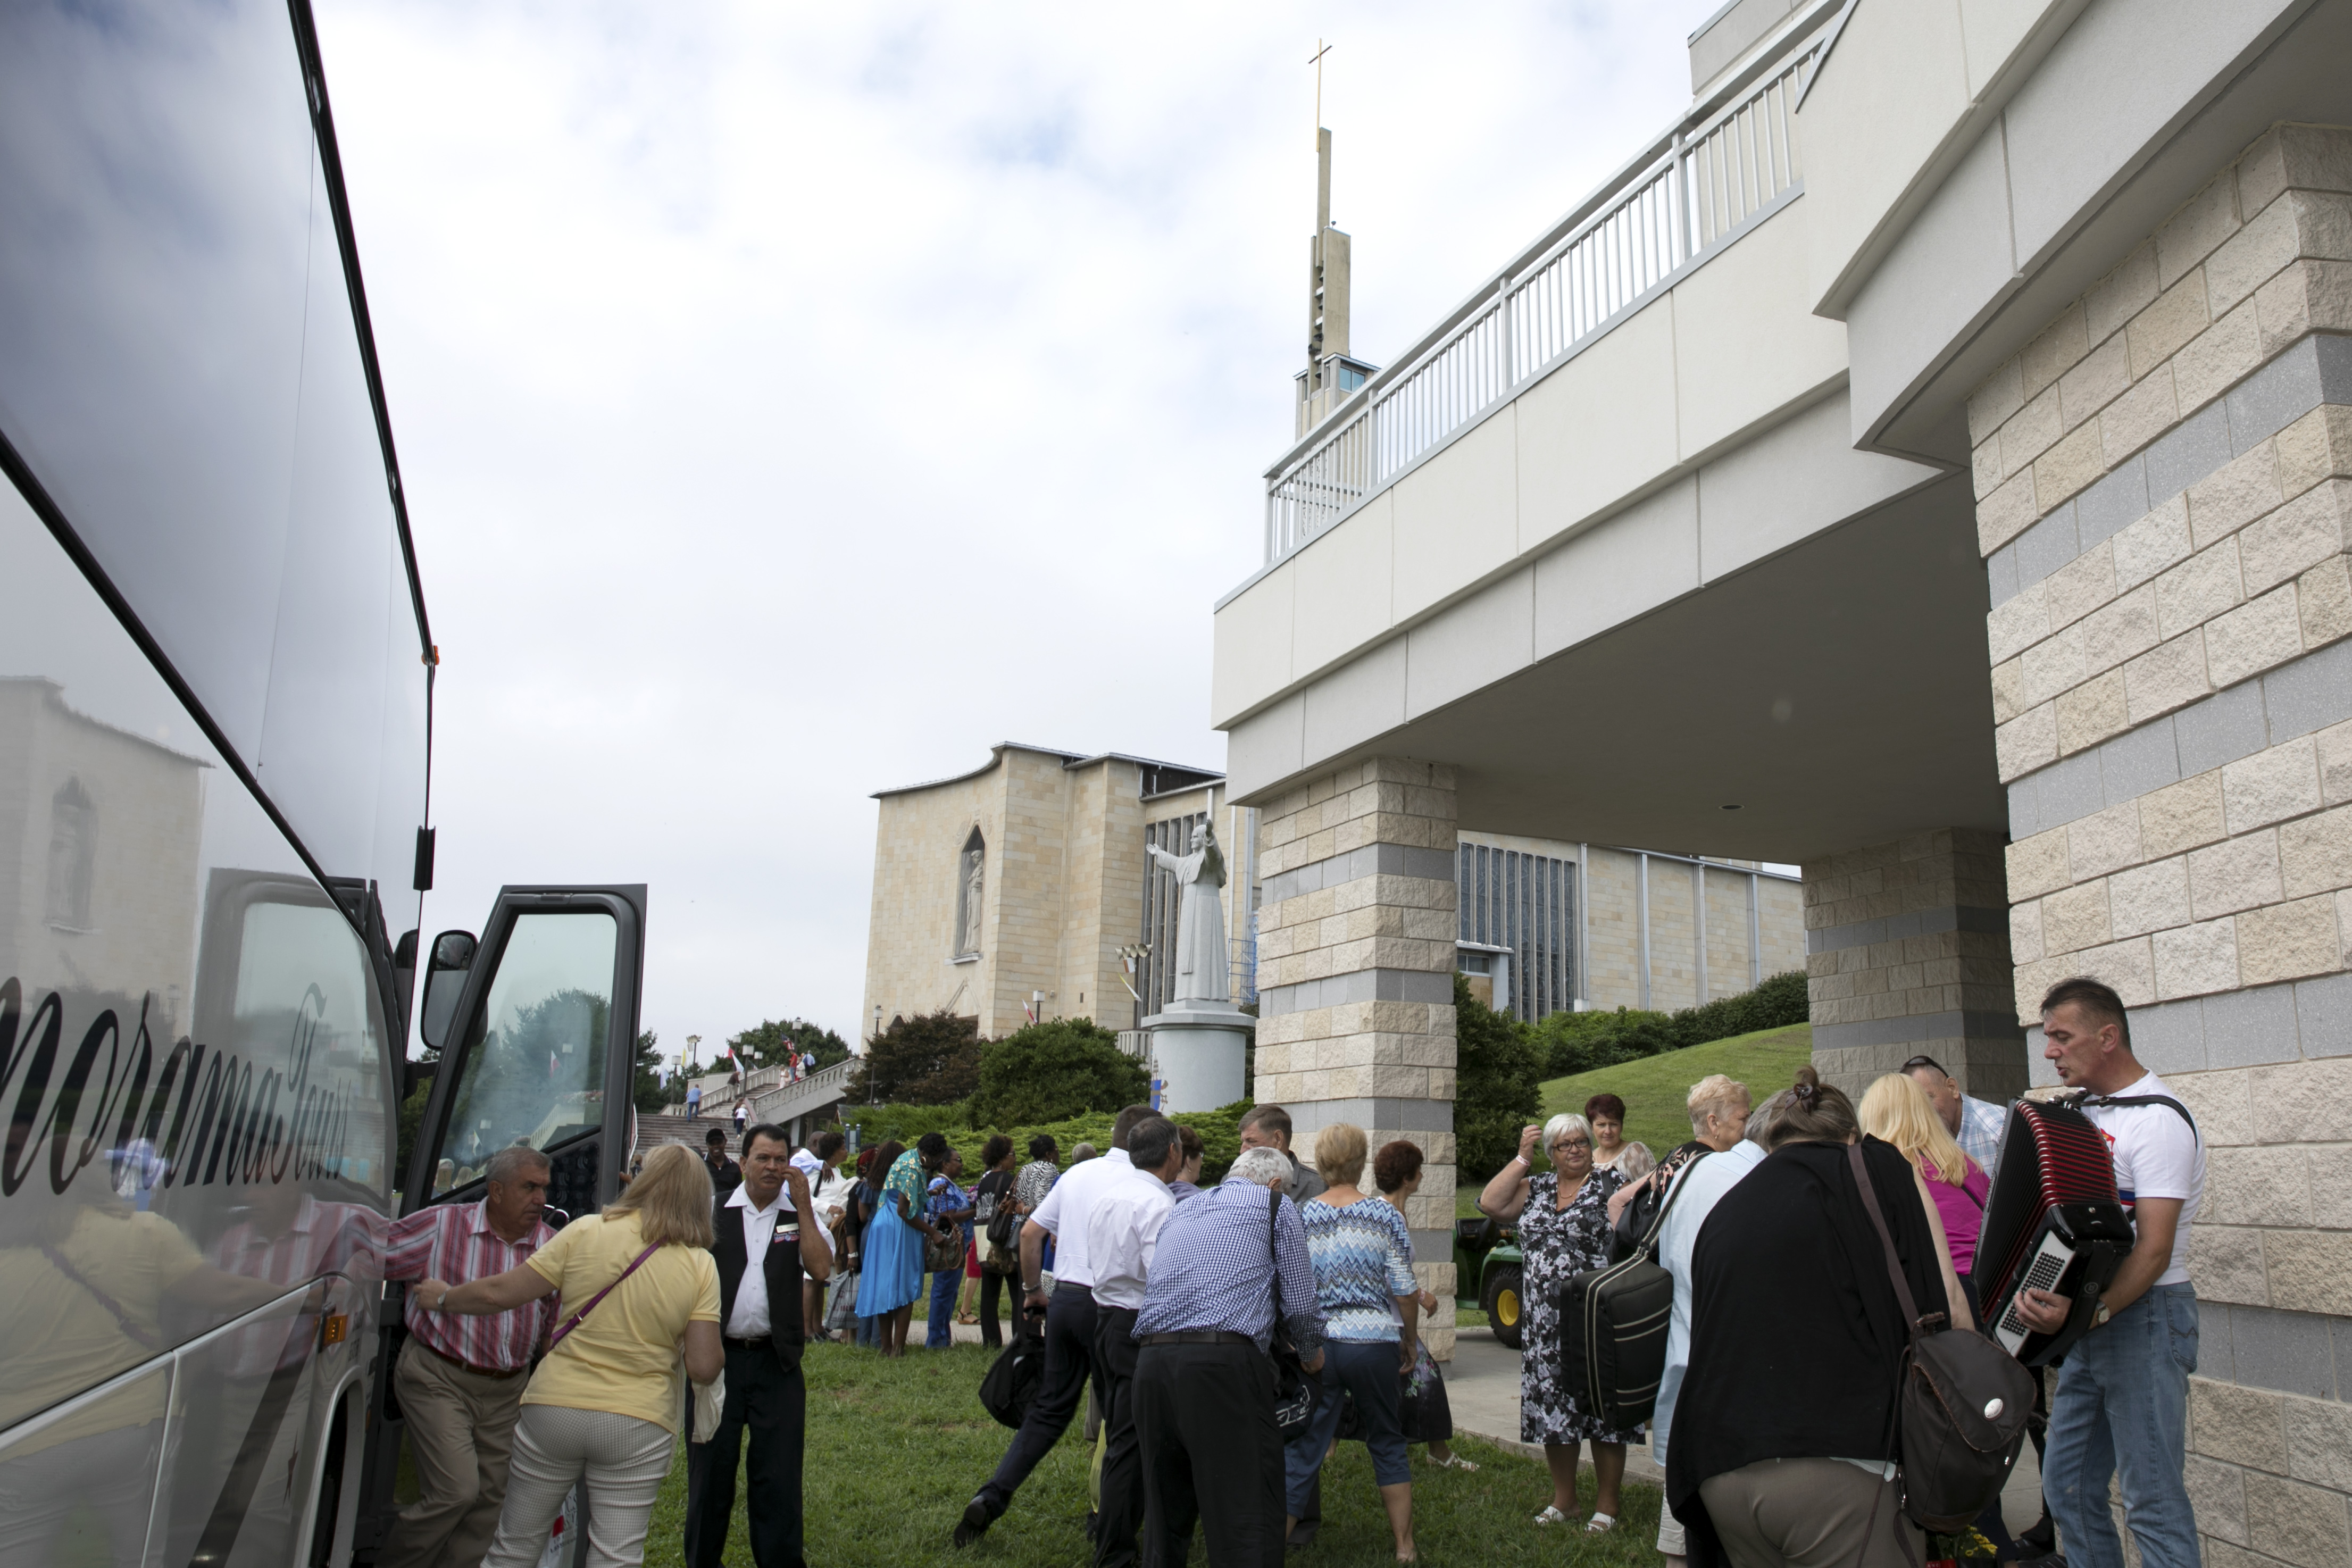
(1069, 1320)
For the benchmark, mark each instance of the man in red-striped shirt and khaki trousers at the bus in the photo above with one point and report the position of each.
(462, 1376)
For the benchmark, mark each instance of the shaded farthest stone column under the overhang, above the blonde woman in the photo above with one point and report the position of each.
(1909, 953)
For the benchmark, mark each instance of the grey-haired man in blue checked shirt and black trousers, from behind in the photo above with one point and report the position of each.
(1205, 1386)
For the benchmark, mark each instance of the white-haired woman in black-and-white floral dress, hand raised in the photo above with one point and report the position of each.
(1563, 1219)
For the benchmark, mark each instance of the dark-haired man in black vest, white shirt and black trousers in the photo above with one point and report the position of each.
(763, 1235)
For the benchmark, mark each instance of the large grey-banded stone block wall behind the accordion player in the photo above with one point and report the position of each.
(2165, 500)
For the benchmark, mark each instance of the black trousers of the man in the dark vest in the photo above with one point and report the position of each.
(775, 1407)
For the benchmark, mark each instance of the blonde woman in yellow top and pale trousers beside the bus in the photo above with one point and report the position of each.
(606, 1398)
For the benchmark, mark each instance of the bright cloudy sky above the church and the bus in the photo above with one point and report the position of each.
(796, 401)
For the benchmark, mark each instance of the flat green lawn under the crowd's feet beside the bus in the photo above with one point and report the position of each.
(900, 1447)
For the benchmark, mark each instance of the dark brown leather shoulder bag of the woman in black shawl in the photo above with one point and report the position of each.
(1960, 1409)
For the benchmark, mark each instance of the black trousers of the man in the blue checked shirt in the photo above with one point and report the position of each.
(1205, 1423)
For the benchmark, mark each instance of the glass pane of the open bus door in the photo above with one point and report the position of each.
(535, 1054)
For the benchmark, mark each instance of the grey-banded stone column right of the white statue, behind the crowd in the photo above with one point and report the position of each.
(1356, 979)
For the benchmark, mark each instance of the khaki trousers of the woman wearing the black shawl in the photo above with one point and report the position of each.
(1810, 1515)
